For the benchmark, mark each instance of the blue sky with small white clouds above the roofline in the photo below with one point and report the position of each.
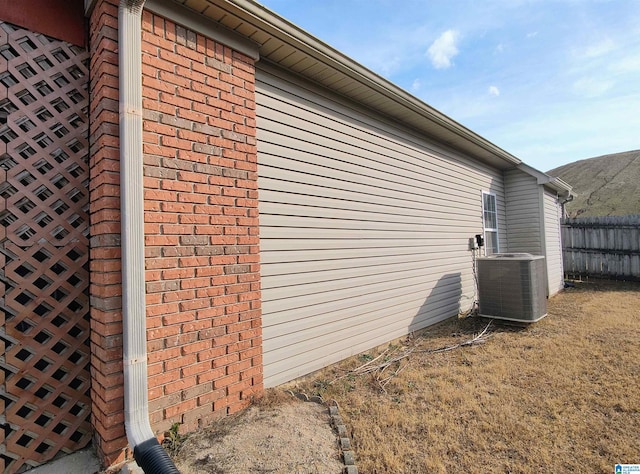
(550, 81)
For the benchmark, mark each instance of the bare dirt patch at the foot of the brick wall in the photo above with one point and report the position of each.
(278, 434)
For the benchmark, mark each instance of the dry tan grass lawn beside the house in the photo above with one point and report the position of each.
(562, 395)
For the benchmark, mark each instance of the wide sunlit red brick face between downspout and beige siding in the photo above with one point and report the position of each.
(201, 226)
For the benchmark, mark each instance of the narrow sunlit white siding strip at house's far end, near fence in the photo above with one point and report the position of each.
(553, 242)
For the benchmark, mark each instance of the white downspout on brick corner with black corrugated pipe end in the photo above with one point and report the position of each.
(148, 453)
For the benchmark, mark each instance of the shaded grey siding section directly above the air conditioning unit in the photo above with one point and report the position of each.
(524, 223)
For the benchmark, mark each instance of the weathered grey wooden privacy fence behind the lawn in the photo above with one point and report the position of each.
(607, 247)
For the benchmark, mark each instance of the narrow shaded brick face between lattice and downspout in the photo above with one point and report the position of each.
(107, 391)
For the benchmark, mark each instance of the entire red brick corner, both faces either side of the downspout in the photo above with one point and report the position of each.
(201, 229)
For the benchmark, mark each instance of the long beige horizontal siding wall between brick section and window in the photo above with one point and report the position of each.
(364, 227)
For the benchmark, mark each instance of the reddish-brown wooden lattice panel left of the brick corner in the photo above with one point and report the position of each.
(43, 248)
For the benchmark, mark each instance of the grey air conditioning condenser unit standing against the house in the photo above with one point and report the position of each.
(512, 286)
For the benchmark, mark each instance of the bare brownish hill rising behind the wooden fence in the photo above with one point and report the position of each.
(607, 185)
